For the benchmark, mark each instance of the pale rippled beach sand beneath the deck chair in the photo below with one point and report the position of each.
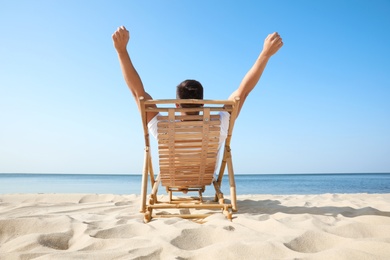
(89, 226)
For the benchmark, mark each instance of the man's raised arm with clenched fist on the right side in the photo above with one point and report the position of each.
(272, 44)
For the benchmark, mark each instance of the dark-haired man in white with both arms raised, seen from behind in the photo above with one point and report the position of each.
(191, 88)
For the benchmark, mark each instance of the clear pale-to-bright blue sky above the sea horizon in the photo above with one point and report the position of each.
(322, 105)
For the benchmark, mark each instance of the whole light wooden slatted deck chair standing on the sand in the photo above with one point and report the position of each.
(188, 149)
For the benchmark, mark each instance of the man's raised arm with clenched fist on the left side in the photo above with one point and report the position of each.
(121, 38)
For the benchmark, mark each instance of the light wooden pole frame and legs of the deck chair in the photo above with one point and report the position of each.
(147, 207)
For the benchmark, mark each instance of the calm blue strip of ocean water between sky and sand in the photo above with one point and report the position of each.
(245, 183)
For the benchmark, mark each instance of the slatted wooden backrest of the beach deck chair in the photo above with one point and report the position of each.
(188, 138)
